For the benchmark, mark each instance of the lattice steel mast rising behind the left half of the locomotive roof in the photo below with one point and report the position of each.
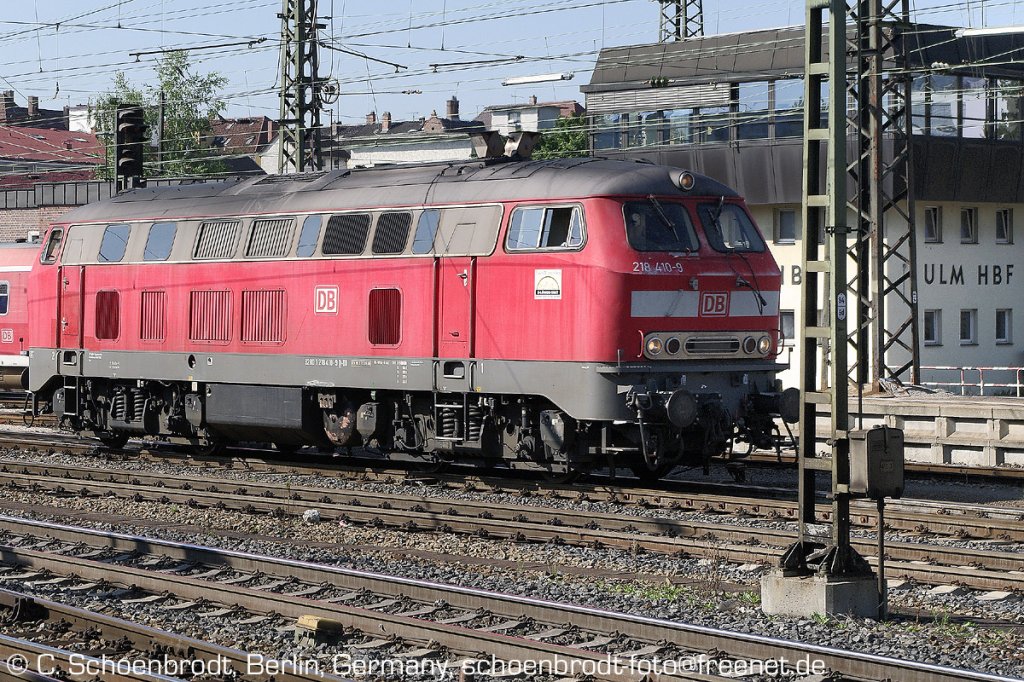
(301, 89)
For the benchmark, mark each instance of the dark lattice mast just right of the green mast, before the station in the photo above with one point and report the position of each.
(886, 286)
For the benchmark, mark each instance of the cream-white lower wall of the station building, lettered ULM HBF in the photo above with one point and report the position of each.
(953, 277)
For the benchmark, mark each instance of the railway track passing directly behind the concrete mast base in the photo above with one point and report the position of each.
(938, 565)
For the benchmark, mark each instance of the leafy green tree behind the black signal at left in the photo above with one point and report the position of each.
(191, 103)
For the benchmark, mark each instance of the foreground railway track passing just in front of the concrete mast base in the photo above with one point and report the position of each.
(461, 620)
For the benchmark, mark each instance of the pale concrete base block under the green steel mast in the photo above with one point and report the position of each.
(806, 595)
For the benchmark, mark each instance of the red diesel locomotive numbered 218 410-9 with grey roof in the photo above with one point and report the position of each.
(552, 316)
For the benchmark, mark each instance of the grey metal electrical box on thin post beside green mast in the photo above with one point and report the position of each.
(877, 463)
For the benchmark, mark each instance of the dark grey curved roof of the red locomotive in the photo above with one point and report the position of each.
(399, 186)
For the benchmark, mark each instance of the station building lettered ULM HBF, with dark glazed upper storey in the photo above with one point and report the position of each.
(732, 107)
